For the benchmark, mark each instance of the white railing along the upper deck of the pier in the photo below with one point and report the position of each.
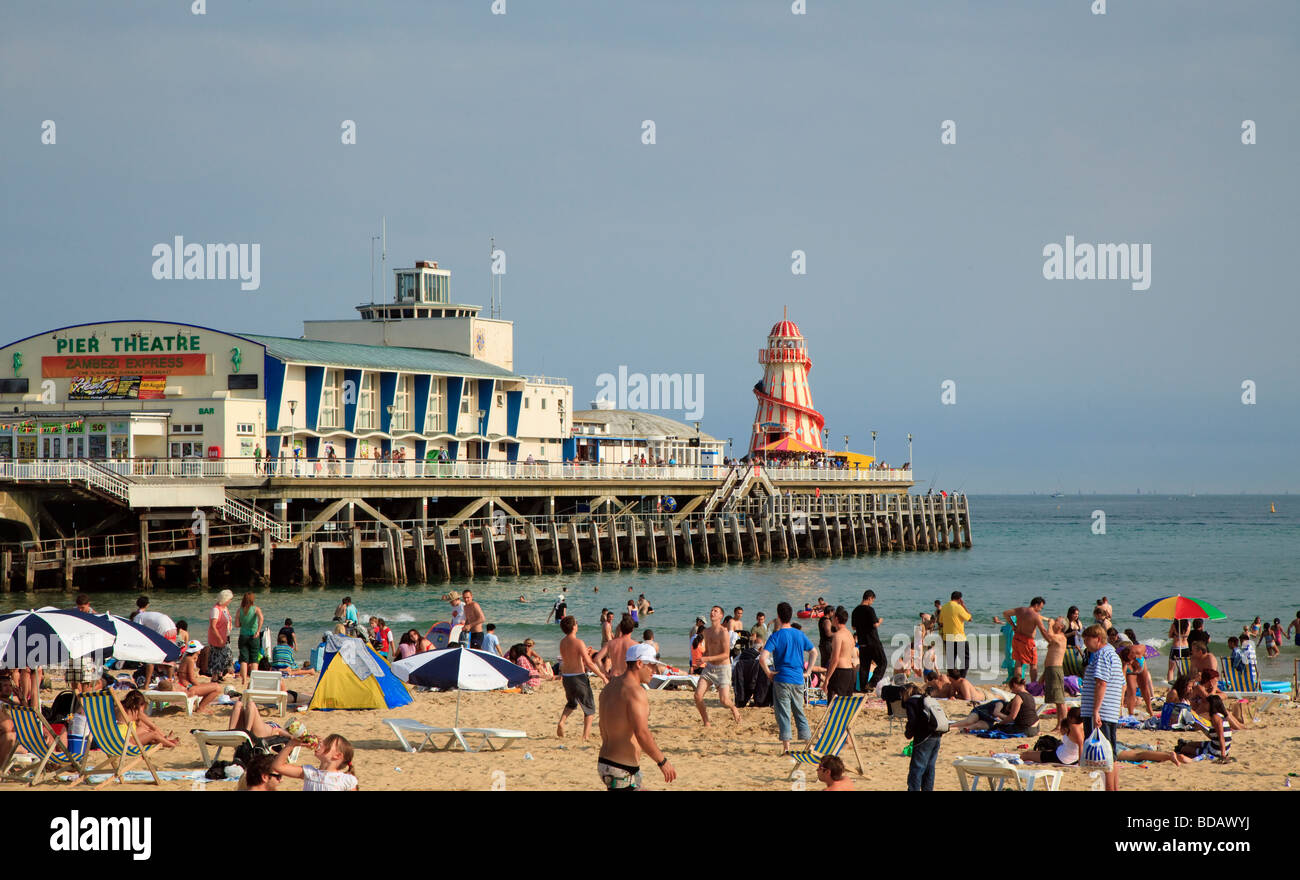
(102, 472)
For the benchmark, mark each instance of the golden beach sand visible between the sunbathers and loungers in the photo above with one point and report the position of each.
(727, 756)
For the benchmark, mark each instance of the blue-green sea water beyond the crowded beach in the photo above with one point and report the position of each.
(1229, 550)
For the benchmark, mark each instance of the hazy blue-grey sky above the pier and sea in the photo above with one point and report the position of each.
(773, 133)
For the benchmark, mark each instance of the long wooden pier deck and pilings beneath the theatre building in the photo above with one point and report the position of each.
(81, 524)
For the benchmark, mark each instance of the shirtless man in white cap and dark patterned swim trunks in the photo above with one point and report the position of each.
(626, 726)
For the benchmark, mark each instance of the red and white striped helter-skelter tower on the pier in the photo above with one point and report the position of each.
(785, 397)
